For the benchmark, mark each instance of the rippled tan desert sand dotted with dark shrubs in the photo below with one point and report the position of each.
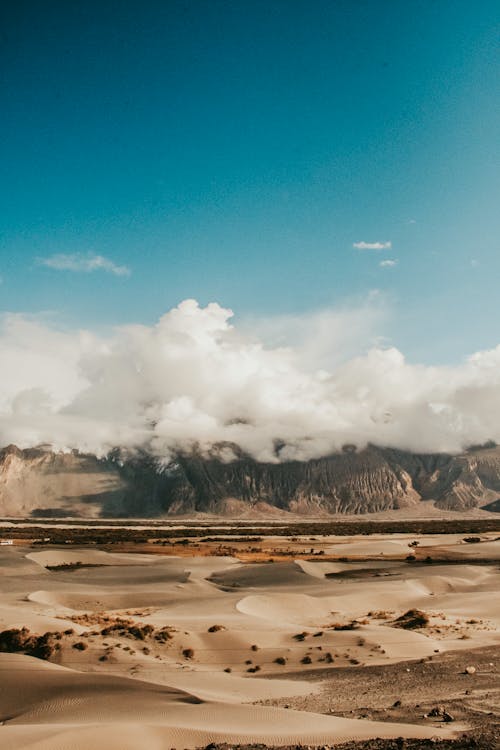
(289, 652)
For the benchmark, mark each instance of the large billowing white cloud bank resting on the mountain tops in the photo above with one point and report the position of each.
(195, 380)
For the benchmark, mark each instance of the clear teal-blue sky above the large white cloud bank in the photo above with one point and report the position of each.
(235, 151)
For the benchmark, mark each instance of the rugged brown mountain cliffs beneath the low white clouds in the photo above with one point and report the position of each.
(38, 482)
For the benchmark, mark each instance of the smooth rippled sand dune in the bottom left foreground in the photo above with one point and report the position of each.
(66, 697)
